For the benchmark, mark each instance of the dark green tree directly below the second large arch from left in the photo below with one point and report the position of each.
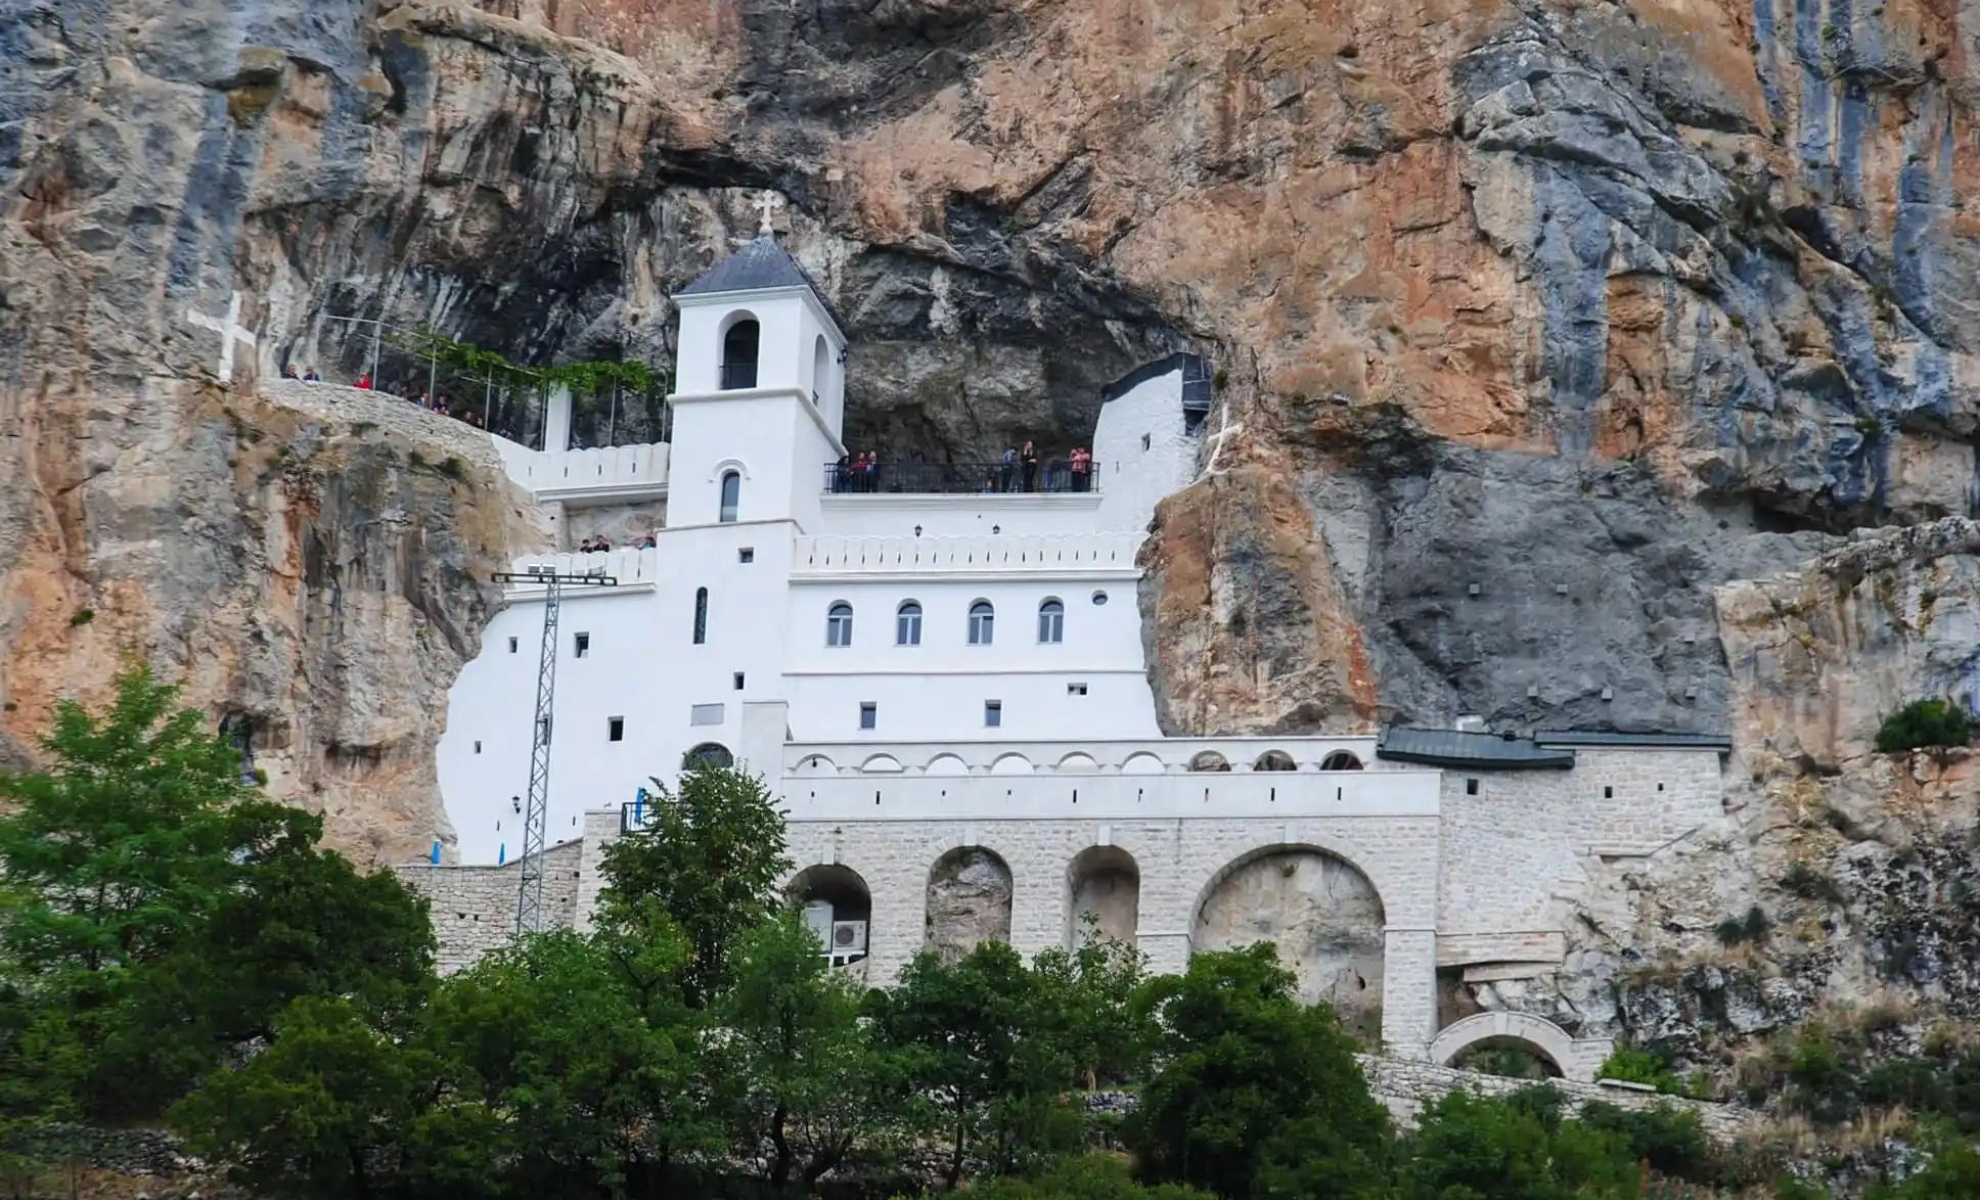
(967, 1035)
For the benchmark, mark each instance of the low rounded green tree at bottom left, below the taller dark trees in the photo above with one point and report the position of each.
(322, 1114)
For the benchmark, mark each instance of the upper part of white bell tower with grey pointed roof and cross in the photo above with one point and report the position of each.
(759, 391)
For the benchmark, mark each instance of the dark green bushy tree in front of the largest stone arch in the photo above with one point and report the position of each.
(1250, 1084)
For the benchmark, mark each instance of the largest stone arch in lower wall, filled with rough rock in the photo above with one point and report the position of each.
(1318, 908)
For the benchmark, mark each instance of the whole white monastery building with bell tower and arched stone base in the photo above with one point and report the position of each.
(941, 674)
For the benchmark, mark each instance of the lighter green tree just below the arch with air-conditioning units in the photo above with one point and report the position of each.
(805, 1086)
